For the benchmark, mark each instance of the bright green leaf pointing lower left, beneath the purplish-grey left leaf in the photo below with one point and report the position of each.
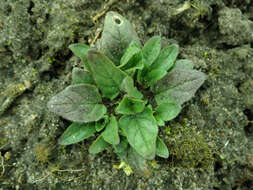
(77, 132)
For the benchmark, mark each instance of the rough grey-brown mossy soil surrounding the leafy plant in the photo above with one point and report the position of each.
(210, 142)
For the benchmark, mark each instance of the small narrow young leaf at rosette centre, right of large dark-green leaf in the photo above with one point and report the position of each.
(130, 89)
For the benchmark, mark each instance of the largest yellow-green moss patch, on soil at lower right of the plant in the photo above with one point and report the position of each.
(188, 148)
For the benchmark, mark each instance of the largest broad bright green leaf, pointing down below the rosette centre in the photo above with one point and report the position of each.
(141, 131)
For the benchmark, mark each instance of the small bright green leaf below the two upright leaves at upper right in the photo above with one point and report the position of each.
(154, 76)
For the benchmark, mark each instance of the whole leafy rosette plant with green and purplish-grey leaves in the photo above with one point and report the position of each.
(125, 93)
